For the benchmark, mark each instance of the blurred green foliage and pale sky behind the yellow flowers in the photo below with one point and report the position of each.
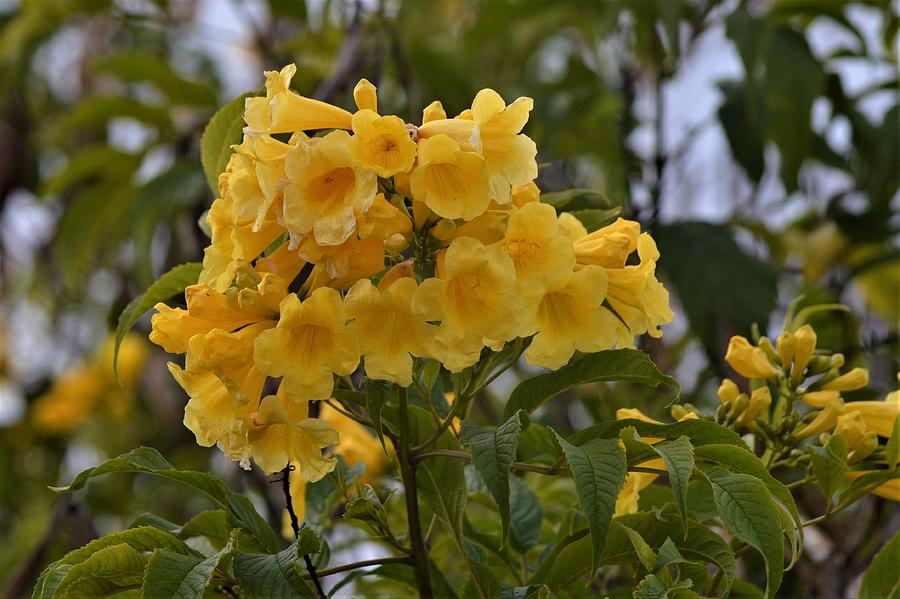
(757, 140)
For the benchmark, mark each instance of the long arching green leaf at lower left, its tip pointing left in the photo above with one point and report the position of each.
(148, 461)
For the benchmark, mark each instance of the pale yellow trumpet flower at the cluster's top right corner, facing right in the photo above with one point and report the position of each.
(510, 155)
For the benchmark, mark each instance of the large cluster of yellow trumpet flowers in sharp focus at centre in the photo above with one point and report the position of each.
(380, 242)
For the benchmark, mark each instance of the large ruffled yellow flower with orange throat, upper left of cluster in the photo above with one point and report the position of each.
(328, 189)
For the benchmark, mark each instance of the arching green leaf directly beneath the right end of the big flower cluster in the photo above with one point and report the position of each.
(628, 365)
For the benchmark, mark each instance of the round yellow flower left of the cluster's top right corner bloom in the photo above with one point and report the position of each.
(452, 182)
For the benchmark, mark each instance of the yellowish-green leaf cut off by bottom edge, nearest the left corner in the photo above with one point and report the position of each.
(109, 571)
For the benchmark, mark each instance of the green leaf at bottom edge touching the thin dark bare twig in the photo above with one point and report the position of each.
(272, 576)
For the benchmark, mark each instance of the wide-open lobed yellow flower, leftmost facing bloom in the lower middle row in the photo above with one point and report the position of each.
(310, 342)
